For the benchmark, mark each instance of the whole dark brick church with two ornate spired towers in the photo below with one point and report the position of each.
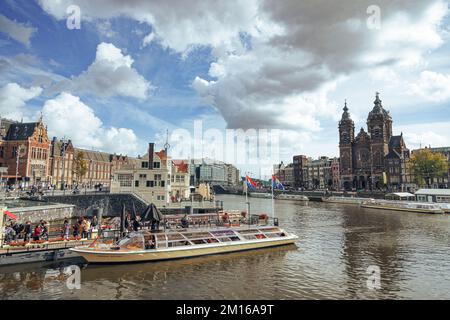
(375, 159)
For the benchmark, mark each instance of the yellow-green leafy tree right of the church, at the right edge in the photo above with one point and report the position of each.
(426, 165)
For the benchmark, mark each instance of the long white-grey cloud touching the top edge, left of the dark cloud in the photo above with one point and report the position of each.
(177, 23)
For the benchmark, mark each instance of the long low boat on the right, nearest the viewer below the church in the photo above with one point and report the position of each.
(418, 207)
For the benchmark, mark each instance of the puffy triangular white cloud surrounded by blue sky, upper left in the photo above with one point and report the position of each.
(111, 74)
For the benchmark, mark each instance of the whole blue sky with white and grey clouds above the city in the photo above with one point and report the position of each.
(131, 71)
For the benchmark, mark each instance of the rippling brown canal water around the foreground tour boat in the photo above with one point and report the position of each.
(337, 246)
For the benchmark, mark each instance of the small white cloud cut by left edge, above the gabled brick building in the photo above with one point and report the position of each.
(13, 98)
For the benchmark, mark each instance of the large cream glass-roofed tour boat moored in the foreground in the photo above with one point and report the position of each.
(154, 246)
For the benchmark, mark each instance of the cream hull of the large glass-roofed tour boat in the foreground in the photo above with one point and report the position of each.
(177, 253)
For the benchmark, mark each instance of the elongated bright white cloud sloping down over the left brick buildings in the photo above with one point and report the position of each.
(66, 115)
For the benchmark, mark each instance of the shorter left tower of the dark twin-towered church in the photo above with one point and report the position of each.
(346, 138)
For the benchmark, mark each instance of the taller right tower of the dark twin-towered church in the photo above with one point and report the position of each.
(379, 125)
